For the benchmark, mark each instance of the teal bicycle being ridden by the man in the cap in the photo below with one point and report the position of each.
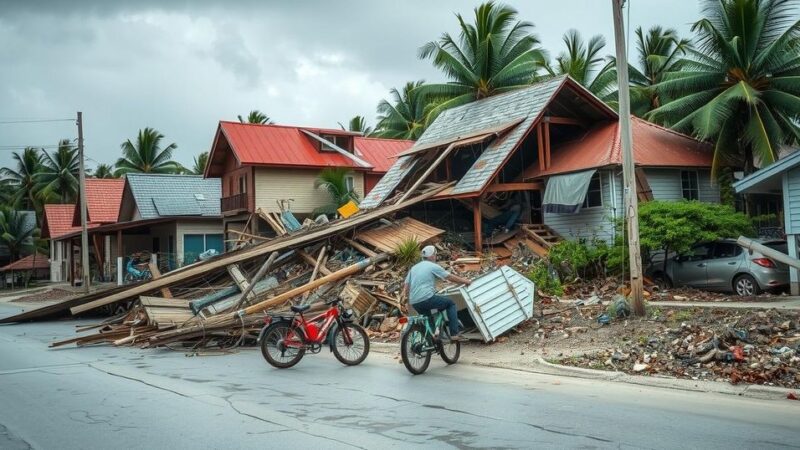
(424, 335)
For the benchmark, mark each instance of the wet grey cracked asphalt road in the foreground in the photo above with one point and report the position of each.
(102, 397)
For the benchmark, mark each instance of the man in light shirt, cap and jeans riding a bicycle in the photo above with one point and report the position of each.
(420, 289)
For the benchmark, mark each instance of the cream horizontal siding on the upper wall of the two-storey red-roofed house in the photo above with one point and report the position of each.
(273, 184)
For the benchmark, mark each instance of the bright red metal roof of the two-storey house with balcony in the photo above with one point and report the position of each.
(288, 146)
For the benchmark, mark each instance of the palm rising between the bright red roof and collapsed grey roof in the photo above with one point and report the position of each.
(404, 117)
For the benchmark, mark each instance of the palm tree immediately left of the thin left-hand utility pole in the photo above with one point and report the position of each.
(58, 178)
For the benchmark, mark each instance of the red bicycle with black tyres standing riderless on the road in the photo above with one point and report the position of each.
(285, 339)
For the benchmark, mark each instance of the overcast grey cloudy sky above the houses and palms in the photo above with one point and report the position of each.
(181, 66)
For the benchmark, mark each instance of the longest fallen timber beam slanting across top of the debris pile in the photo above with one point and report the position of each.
(291, 241)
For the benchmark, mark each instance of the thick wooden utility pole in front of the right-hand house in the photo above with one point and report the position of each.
(628, 173)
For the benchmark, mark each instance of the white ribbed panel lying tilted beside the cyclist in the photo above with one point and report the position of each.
(497, 301)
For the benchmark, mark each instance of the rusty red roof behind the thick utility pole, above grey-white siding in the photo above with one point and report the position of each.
(653, 146)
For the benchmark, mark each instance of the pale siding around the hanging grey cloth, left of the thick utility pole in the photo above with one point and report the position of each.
(592, 223)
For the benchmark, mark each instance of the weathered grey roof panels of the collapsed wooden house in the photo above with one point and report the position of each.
(525, 104)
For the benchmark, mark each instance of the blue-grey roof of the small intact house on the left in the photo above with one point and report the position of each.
(165, 195)
